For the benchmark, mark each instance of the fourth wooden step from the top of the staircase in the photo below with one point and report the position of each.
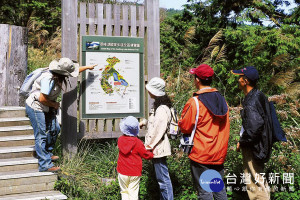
(18, 140)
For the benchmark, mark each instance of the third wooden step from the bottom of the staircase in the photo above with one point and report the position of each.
(16, 164)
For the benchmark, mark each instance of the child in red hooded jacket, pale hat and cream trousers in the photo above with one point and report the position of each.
(131, 152)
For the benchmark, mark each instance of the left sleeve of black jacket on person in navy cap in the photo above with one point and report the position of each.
(253, 126)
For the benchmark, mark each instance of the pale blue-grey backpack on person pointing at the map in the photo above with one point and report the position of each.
(29, 80)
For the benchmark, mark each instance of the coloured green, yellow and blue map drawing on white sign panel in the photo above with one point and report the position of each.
(112, 80)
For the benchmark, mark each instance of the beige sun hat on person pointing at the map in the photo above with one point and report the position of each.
(65, 66)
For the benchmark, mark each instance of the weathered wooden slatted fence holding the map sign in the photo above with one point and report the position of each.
(107, 20)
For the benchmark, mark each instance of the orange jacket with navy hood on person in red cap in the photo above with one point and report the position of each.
(212, 132)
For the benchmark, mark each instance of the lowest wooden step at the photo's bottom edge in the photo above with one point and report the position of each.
(49, 195)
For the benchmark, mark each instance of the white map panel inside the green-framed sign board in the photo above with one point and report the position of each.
(113, 86)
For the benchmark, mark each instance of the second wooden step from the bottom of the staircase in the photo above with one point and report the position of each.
(16, 182)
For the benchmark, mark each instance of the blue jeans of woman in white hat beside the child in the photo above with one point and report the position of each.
(163, 178)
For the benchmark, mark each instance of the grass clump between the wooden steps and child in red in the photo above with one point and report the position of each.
(91, 173)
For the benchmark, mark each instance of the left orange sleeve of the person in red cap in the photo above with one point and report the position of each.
(187, 120)
